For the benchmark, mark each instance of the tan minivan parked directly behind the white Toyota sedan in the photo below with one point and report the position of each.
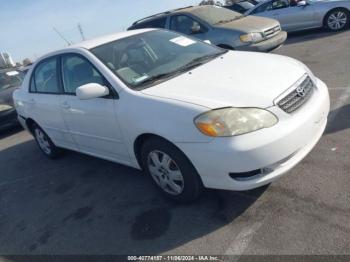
(221, 27)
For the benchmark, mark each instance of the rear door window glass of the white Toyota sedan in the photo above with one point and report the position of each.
(45, 77)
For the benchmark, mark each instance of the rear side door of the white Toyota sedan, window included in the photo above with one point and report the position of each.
(43, 103)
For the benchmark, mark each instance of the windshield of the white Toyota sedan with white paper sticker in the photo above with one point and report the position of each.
(144, 59)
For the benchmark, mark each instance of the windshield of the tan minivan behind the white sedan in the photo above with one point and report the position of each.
(215, 15)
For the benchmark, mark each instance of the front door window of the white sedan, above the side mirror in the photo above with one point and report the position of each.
(77, 71)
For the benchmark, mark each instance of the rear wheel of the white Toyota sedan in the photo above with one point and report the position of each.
(44, 142)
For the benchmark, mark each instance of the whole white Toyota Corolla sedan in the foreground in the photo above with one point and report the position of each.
(190, 114)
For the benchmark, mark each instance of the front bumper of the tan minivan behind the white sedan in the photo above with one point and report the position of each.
(267, 45)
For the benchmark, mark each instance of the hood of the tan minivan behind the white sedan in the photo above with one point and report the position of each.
(250, 24)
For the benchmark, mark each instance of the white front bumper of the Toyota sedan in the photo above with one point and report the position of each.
(274, 150)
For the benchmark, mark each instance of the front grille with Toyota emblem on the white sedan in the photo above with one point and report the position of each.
(298, 97)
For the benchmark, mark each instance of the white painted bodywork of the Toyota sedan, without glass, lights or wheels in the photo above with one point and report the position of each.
(108, 128)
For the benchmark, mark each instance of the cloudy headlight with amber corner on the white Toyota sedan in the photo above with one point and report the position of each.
(234, 121)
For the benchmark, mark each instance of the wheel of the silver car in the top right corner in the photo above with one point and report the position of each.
(337, 19)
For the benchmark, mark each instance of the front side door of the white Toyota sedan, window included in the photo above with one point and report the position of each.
(92, 123)
